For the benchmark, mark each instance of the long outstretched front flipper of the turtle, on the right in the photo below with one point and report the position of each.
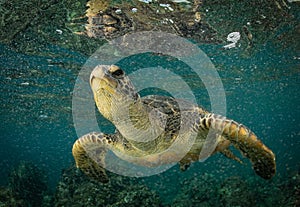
(261, 157)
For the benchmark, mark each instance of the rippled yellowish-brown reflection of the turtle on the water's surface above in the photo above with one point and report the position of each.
(108, 19)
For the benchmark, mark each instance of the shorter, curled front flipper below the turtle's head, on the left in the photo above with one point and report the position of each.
(89, 152)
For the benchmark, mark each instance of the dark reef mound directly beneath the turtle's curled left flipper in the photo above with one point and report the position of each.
(75, 189)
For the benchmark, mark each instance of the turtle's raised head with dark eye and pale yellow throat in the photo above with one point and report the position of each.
(112, 89)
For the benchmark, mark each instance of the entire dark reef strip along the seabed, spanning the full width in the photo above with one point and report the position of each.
(27, 187)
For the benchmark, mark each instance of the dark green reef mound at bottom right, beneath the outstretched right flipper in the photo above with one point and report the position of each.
(238, 191)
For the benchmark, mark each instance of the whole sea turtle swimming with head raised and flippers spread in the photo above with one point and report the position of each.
(171, 121)
